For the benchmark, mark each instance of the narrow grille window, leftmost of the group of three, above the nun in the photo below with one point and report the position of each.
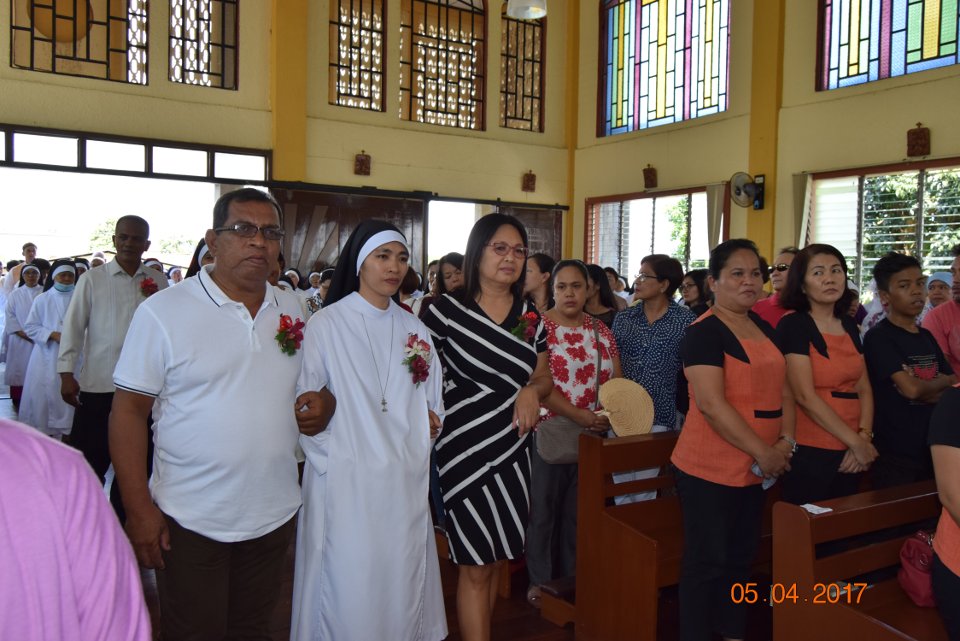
(356, 54)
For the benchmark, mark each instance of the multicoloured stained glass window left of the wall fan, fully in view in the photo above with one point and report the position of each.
(664, 61)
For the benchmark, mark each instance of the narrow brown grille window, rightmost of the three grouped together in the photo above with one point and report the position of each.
(521, 73)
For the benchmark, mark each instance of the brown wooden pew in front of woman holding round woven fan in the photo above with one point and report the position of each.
(625, 553)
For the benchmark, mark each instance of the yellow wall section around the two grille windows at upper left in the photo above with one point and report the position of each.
(162, 109)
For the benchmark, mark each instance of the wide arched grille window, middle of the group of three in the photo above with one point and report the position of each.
(442, 58)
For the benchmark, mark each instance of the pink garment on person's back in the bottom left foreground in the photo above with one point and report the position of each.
(67, 571)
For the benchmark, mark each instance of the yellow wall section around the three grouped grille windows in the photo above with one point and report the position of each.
(451, 162)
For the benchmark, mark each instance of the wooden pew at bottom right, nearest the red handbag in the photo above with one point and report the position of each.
(880, 612)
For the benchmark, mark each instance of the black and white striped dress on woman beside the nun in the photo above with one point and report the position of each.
(484, 465)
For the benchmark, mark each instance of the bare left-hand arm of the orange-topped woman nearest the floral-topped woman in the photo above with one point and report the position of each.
(708, 390)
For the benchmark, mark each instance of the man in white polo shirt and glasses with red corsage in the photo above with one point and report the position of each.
(206, 358)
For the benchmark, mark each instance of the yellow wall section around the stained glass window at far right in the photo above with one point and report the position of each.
(855, 126)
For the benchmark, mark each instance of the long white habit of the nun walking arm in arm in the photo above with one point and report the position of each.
(367, 566)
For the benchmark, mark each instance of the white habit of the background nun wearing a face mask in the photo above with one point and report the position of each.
(42, 406)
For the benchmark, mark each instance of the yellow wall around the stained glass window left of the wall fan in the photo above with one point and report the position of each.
(692, 153)
